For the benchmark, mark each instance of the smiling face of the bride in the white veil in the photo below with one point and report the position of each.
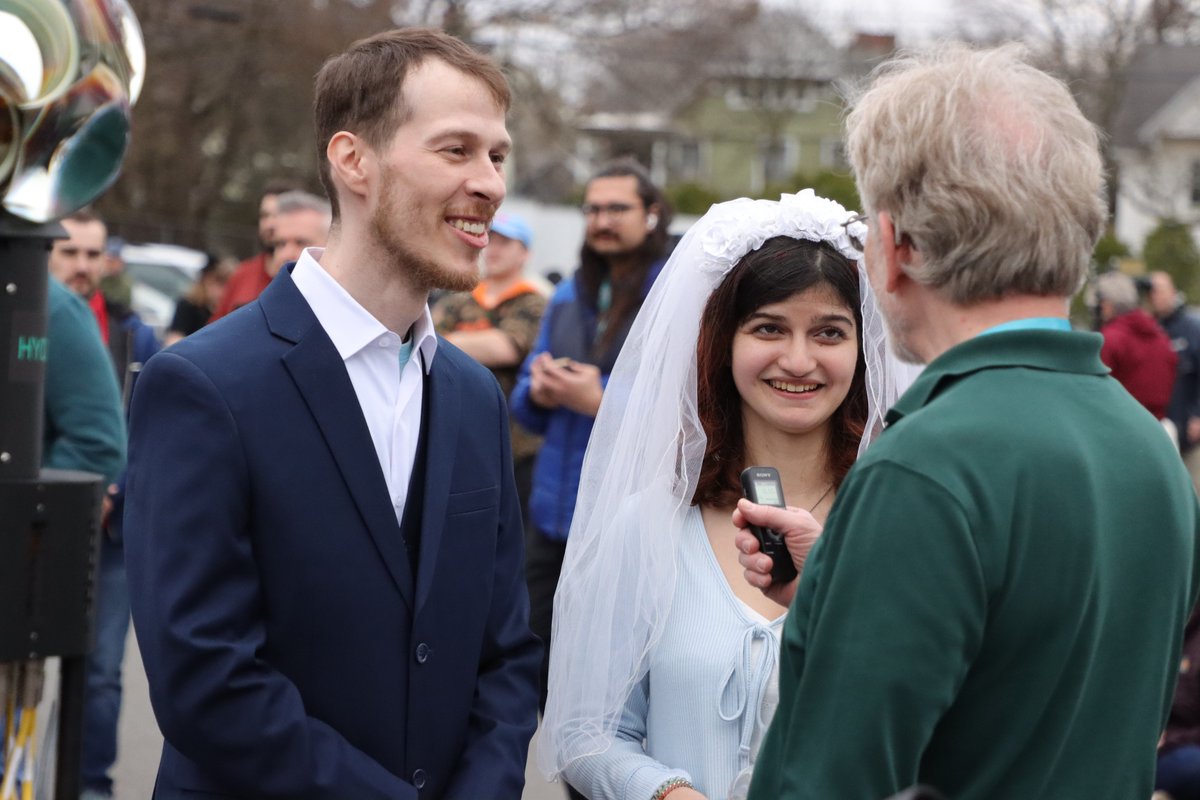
(794, 362)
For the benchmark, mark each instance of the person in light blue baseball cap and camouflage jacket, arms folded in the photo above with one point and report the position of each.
(497, 326)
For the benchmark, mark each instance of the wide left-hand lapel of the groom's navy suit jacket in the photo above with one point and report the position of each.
(321, 377)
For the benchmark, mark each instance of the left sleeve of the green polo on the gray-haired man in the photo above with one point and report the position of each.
(889, 616)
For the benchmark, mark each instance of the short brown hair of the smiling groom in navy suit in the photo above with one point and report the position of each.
(362, 91)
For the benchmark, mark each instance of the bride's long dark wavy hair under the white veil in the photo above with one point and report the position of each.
(782, 268)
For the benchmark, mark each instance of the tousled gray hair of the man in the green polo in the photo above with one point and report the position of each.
(987, 165)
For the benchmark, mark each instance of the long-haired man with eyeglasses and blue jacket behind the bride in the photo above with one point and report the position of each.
(562, 382)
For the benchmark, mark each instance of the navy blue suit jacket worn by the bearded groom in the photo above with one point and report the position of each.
(290, 651)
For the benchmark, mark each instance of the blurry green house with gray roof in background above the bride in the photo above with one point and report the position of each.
(764, 106)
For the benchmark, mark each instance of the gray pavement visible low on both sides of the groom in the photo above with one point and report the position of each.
(141, 742)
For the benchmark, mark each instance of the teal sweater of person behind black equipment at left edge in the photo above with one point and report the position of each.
(85, 423)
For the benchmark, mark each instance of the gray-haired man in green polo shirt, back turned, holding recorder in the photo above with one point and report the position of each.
(997, 605)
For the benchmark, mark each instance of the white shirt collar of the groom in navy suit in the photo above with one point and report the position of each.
(349, 324)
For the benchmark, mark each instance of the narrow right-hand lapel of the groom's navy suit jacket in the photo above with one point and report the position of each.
(442, 444)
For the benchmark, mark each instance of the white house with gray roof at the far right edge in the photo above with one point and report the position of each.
(1156, 143)
